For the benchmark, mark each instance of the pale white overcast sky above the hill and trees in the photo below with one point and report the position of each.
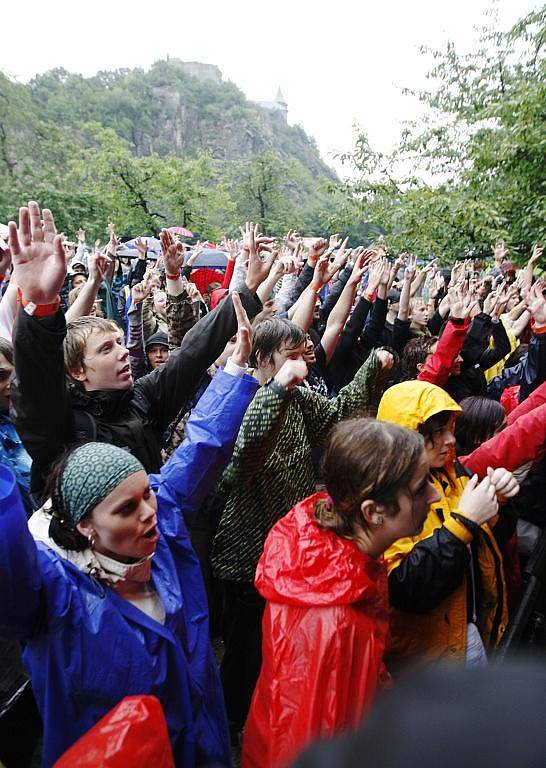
(338, 63)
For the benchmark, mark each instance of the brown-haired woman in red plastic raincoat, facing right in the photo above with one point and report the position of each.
(326, 618)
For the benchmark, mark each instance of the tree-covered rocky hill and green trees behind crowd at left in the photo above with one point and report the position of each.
(152, 149)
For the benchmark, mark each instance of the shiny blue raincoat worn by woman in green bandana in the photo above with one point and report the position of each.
(87, 647)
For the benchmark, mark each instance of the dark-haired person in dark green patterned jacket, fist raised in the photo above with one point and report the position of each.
(271, 470)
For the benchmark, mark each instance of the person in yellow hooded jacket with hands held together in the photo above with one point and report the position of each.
(438, 612)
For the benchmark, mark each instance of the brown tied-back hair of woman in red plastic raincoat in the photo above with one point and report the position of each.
(365, 459)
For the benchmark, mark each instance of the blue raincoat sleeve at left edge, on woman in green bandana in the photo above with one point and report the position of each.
(20, 576)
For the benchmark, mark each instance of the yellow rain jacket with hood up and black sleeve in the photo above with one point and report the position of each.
(434, 590)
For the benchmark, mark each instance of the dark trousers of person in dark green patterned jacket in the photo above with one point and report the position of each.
(243, 609)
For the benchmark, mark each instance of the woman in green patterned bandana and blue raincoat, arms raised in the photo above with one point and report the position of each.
(107, 592)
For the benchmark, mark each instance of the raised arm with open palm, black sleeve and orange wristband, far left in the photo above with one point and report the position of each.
(41, 406)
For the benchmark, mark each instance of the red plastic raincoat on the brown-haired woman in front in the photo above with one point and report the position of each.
(324, 633)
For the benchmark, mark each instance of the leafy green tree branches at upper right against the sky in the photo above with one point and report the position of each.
(474, 171)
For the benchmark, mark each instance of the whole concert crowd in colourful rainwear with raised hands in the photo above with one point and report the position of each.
(262, 498)
